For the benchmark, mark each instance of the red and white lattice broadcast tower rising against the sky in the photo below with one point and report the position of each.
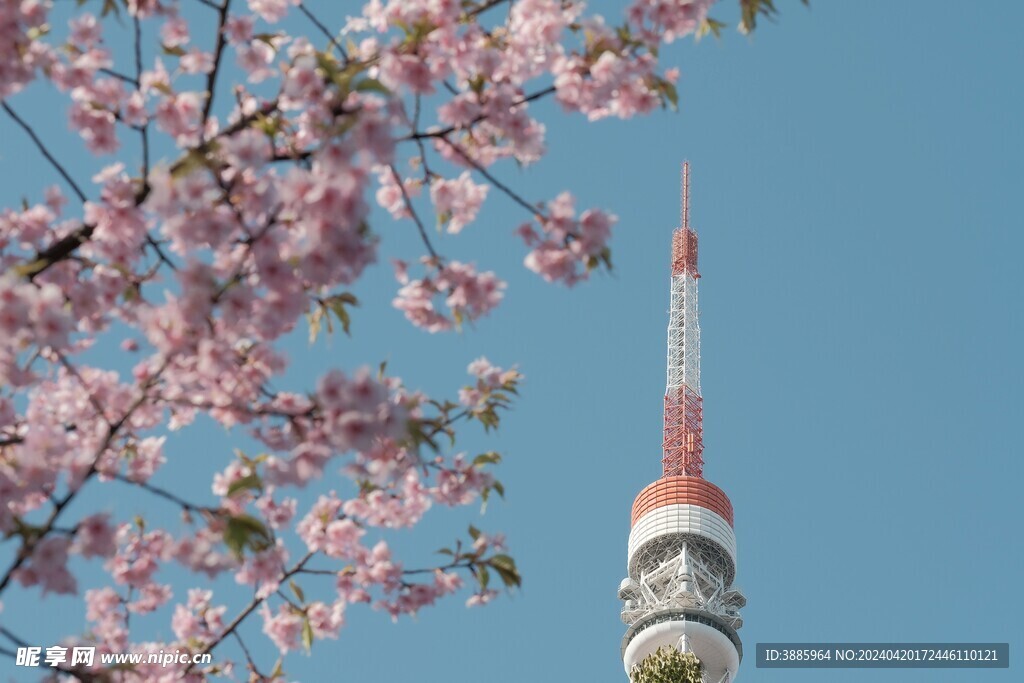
(682, 550)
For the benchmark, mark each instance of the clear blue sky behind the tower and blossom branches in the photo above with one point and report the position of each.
(858, 172)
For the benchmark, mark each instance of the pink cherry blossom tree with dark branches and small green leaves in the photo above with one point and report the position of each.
(225, 212)
